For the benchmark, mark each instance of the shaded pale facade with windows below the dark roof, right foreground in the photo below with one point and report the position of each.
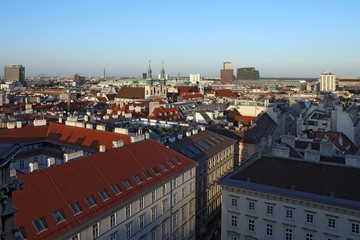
(254, 215)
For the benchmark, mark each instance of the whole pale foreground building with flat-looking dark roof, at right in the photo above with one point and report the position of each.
(284, 198)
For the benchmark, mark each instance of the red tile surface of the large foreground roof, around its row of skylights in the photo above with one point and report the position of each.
(56, 188)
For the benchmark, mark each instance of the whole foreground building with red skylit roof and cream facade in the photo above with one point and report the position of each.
(141, 190)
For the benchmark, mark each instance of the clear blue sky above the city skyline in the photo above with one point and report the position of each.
(280, 38)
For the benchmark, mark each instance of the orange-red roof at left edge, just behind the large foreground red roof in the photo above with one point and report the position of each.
(83, 137)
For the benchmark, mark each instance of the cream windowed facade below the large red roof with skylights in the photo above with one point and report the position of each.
(164, 212)
